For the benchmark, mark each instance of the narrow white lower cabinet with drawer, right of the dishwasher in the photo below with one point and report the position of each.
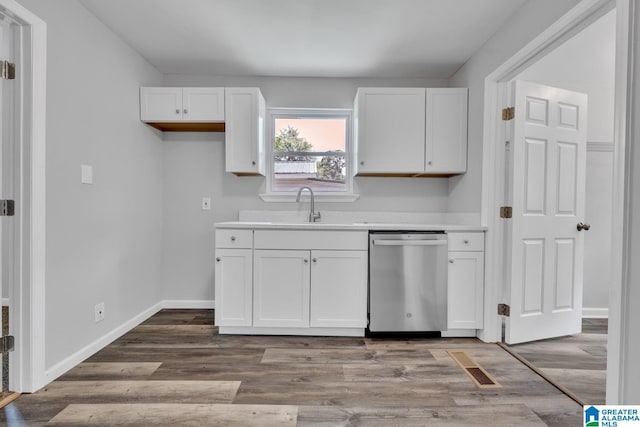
(466, 281)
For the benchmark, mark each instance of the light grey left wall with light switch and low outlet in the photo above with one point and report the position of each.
(103, 240)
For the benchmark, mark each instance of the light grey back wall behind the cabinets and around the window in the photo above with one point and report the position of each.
(194, 167)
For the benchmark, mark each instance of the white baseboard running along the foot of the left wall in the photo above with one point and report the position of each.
(77, 357)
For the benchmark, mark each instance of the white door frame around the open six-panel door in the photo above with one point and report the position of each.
(493, 166)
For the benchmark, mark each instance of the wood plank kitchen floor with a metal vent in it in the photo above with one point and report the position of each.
(175, 369)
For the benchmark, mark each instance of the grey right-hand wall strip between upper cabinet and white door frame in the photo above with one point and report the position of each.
(529, 21)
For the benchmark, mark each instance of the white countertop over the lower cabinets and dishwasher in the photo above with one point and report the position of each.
(258, 225)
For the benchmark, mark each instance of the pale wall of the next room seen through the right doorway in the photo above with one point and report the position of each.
(586, 63)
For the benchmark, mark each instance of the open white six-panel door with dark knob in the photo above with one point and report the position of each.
(548, 138)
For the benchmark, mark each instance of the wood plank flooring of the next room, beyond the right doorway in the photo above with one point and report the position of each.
(577, 362)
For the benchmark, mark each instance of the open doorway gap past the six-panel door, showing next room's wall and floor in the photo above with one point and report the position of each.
(585, 63)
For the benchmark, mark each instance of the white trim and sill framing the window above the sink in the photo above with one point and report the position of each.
(326, 196)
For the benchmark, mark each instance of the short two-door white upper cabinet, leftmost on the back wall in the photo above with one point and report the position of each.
(175, 104)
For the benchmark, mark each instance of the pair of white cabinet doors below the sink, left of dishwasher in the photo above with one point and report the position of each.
(318, 288)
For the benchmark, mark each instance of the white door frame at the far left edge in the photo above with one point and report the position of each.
(28, 289)
